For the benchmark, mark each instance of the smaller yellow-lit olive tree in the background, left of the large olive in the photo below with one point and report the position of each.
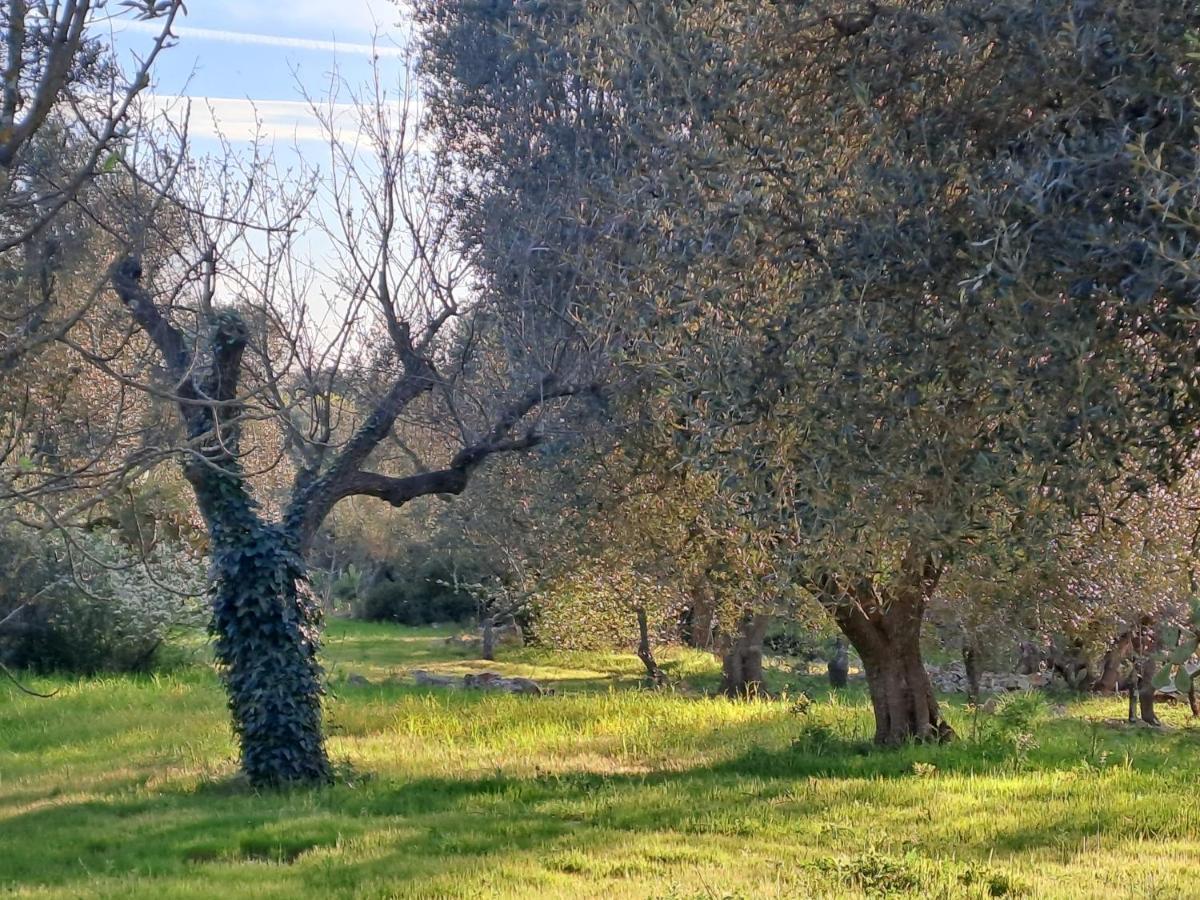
(625, 545)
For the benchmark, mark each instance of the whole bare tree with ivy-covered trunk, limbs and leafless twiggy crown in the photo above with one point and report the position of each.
(451, 371)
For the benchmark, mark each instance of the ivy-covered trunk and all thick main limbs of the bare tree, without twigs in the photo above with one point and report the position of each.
(265, 619)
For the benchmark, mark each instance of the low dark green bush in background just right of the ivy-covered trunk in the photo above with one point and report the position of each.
(422, 596)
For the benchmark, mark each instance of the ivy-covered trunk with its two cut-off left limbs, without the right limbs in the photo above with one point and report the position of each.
(265, 621)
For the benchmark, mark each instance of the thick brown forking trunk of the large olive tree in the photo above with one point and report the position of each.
(885, 627)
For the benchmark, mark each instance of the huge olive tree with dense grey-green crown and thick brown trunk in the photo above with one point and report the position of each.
(917, 280)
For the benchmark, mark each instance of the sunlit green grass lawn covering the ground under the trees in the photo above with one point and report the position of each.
(127, 788)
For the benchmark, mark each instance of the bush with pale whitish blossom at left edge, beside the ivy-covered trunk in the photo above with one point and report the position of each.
(95, 605)
